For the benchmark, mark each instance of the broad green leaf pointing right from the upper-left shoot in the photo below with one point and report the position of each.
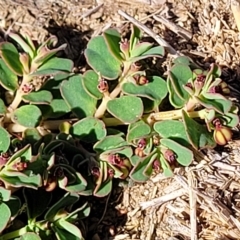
(54, 66)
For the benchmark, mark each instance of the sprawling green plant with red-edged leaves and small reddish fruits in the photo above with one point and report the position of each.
(60, 137)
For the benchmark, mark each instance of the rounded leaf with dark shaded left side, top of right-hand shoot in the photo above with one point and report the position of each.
(179, 76)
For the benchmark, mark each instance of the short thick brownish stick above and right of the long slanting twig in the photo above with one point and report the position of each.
(175, 28)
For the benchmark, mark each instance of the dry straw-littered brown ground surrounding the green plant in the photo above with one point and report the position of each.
(202, 201)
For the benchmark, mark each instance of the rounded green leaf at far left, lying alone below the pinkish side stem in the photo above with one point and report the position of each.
(27, 116)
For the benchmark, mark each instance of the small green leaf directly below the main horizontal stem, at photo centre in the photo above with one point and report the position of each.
(139, 131)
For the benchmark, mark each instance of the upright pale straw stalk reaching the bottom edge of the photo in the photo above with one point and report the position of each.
(192, 203)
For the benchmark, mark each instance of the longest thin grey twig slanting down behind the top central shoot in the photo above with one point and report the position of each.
(158, 39)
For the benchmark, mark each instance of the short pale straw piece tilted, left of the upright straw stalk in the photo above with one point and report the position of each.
(160, 200)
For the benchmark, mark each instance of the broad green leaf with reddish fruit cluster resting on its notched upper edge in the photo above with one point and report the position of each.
(156, 89)
